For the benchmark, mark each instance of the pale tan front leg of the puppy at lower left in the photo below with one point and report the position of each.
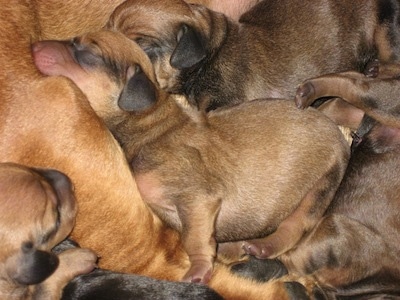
(73, 262)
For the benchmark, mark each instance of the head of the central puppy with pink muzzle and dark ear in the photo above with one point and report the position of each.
(113, 71)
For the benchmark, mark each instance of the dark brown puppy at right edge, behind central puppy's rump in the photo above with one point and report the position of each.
(355, 248)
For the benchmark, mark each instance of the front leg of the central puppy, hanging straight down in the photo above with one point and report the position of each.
(198, 233)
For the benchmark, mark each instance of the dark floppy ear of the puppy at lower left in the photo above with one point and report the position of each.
(34, 266)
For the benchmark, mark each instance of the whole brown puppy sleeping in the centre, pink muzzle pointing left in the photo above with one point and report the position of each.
(264, 161)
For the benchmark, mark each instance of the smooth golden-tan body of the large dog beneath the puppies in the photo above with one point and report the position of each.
(47, 122)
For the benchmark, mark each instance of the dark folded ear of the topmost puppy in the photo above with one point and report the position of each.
(190, 49)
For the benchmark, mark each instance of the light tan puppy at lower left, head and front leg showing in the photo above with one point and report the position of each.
(37, 211)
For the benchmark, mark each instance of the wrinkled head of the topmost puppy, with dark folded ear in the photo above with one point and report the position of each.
(175, 35)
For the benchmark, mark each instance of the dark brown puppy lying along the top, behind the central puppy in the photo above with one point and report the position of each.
(215, 61)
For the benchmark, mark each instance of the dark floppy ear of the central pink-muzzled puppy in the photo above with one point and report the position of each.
(139, 92)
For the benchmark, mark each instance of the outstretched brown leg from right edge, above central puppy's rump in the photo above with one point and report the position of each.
(375, 96)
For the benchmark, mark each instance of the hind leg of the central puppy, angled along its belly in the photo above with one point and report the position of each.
(302, 220)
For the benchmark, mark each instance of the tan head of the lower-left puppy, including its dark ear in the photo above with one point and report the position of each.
(37, 211)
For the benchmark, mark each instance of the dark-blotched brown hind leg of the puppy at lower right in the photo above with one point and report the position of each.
(335, 252)
